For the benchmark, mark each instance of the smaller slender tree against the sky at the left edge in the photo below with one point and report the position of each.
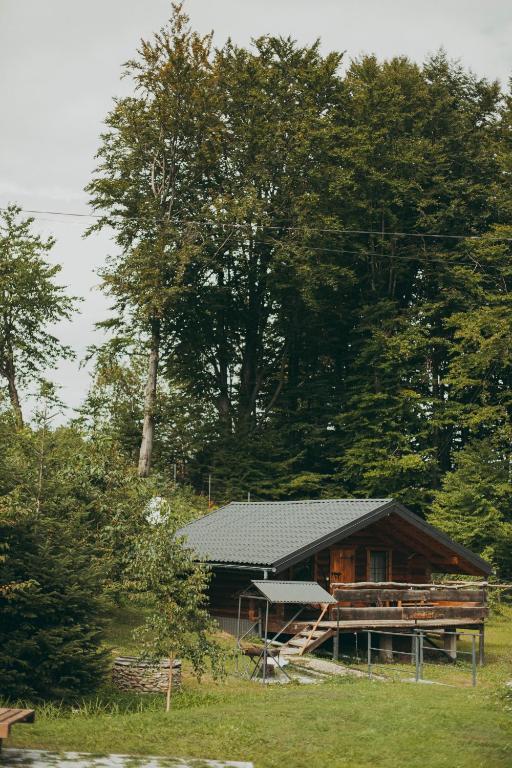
(30, 302)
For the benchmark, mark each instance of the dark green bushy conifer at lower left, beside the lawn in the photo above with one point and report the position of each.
(50, 626)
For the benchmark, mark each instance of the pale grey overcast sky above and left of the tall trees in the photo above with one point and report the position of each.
(60, 62)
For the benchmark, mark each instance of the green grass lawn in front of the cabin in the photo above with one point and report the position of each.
(347, 722)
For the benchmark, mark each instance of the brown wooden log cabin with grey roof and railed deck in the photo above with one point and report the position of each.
(376, 557)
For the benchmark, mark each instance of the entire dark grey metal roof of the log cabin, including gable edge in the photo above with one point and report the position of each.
(277, 534)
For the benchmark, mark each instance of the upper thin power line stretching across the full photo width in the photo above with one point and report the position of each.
(279, 228)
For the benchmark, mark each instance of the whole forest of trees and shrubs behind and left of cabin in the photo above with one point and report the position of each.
(309, 299)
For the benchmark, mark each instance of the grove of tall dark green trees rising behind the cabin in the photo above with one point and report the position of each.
(307, 334)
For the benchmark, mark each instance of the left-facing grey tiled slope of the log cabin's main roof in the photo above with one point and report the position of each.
(265, 533)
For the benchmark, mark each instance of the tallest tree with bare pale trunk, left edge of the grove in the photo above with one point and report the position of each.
(150, 183)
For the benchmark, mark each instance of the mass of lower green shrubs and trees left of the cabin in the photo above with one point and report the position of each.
(73, 515)
